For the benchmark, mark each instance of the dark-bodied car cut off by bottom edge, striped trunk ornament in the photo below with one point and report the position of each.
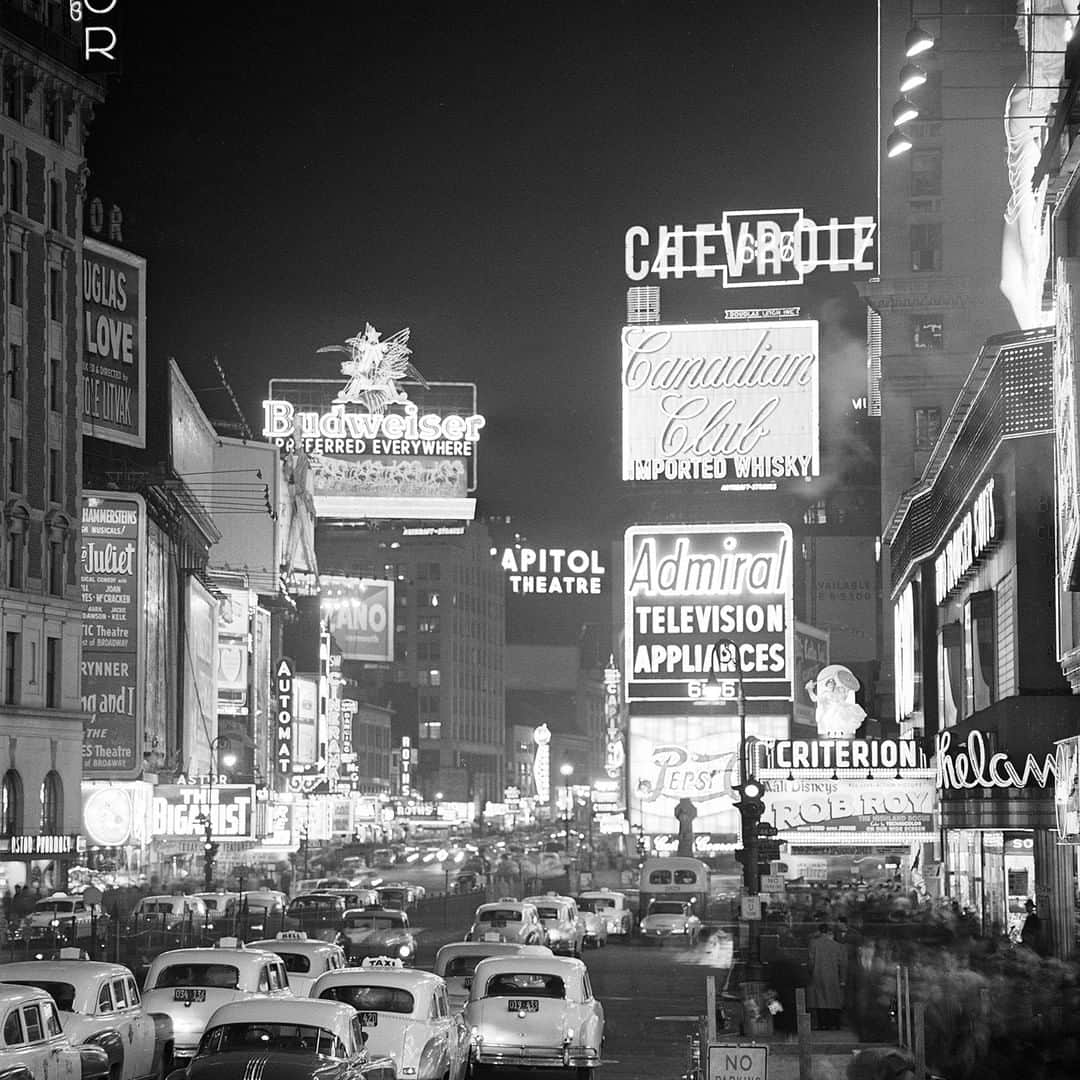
(288, 1041)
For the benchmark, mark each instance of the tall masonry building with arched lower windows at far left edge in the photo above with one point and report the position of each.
(47, 104)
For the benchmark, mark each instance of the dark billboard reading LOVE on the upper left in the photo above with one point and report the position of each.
(114, 345)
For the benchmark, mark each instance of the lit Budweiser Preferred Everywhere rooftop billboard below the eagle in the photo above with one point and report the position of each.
(417, 460)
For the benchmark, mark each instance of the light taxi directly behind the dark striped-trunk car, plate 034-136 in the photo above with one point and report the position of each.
(188, 984)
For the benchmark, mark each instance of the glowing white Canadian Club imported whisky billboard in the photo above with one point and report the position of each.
(736, 403)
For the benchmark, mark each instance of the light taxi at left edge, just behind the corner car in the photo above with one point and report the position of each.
(100, 1005)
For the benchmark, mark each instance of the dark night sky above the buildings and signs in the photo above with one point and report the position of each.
(292, 171)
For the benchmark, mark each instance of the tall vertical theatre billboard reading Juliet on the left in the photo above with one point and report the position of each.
(113, 558)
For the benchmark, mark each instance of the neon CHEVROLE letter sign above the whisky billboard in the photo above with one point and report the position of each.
(751, 249)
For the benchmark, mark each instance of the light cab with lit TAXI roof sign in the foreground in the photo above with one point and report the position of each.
(406, 1015)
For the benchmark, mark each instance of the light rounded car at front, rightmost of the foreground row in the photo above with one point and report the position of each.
(536, 1012)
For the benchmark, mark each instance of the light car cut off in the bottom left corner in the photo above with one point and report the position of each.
(34, 1041)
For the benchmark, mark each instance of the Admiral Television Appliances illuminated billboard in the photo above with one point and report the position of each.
(688, 587)
